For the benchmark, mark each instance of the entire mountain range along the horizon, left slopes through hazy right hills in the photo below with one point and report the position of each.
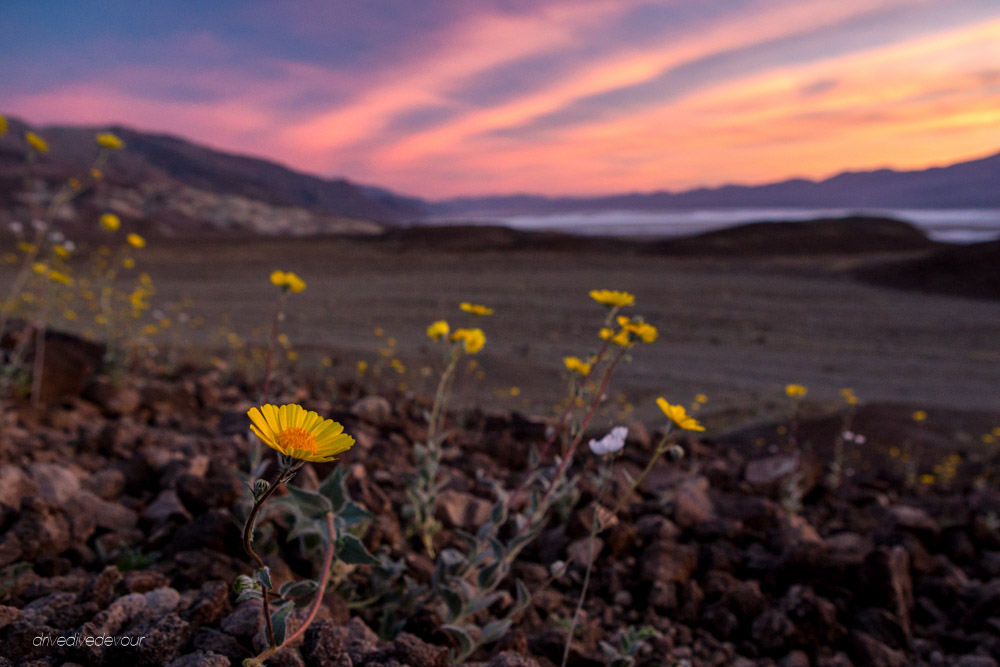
(155, 169)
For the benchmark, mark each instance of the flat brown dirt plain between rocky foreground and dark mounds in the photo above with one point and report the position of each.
(737, 330)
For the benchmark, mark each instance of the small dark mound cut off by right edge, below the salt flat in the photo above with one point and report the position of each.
(971, 271)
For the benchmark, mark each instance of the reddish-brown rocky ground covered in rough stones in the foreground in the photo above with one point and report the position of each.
(119, 505)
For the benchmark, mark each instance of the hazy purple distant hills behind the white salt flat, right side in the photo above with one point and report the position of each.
(972, 184)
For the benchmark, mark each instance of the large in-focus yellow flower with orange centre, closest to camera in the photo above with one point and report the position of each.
(299, 434)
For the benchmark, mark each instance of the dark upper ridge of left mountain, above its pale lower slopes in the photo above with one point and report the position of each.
(158, 157)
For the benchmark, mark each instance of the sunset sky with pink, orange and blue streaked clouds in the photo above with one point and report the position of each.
(445, 98)
